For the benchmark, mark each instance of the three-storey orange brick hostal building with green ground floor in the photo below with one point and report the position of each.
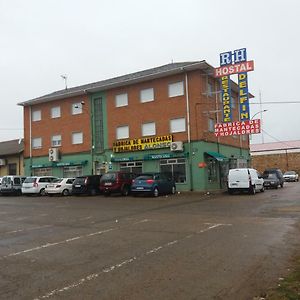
(160, 119)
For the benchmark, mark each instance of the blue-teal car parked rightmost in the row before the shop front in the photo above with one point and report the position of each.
(154, 184)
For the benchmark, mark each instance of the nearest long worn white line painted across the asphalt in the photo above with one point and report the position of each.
(119, 265)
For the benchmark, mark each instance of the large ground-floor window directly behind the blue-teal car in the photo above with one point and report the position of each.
(176, 167)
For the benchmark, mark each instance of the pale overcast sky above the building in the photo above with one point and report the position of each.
(91, 40)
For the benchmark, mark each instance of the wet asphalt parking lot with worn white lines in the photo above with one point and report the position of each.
(186, 246)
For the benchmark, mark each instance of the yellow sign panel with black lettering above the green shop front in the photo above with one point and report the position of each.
(141, 144)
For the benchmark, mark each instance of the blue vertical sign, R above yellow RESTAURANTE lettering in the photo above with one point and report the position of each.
(226, 59)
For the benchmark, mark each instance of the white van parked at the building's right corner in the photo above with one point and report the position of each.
(245, 179)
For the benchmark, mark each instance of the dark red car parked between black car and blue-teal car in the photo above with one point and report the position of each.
(116, 182)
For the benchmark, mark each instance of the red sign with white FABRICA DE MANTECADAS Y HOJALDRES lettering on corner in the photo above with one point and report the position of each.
(237, 128)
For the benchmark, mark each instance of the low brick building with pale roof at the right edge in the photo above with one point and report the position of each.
(282, 155)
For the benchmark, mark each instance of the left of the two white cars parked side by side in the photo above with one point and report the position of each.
(35, 185)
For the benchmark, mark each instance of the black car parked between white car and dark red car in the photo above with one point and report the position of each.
(88, 184)
